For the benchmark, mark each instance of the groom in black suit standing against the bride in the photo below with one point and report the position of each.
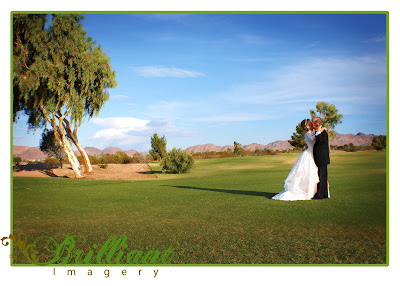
(321, 158)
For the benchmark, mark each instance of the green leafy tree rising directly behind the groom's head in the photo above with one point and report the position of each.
(329, 115)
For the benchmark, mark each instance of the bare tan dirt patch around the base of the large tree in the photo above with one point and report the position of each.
(113, 171)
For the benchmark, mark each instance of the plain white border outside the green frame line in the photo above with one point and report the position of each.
(201, 275)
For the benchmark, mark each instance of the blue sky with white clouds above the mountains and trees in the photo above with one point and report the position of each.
(220, 78)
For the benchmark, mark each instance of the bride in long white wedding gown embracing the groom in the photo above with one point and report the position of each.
(301, 183)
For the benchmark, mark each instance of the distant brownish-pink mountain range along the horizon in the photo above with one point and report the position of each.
(360, 139)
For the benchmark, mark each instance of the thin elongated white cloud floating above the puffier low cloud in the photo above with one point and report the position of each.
(161, 71)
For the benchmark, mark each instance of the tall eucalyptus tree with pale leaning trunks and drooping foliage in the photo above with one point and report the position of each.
(63, 80)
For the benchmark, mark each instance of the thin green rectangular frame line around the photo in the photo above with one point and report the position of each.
(203, 12)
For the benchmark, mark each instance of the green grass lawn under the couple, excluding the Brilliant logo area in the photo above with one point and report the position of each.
(221, 212)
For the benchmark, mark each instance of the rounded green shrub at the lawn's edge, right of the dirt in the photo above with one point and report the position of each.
(177, 161)
